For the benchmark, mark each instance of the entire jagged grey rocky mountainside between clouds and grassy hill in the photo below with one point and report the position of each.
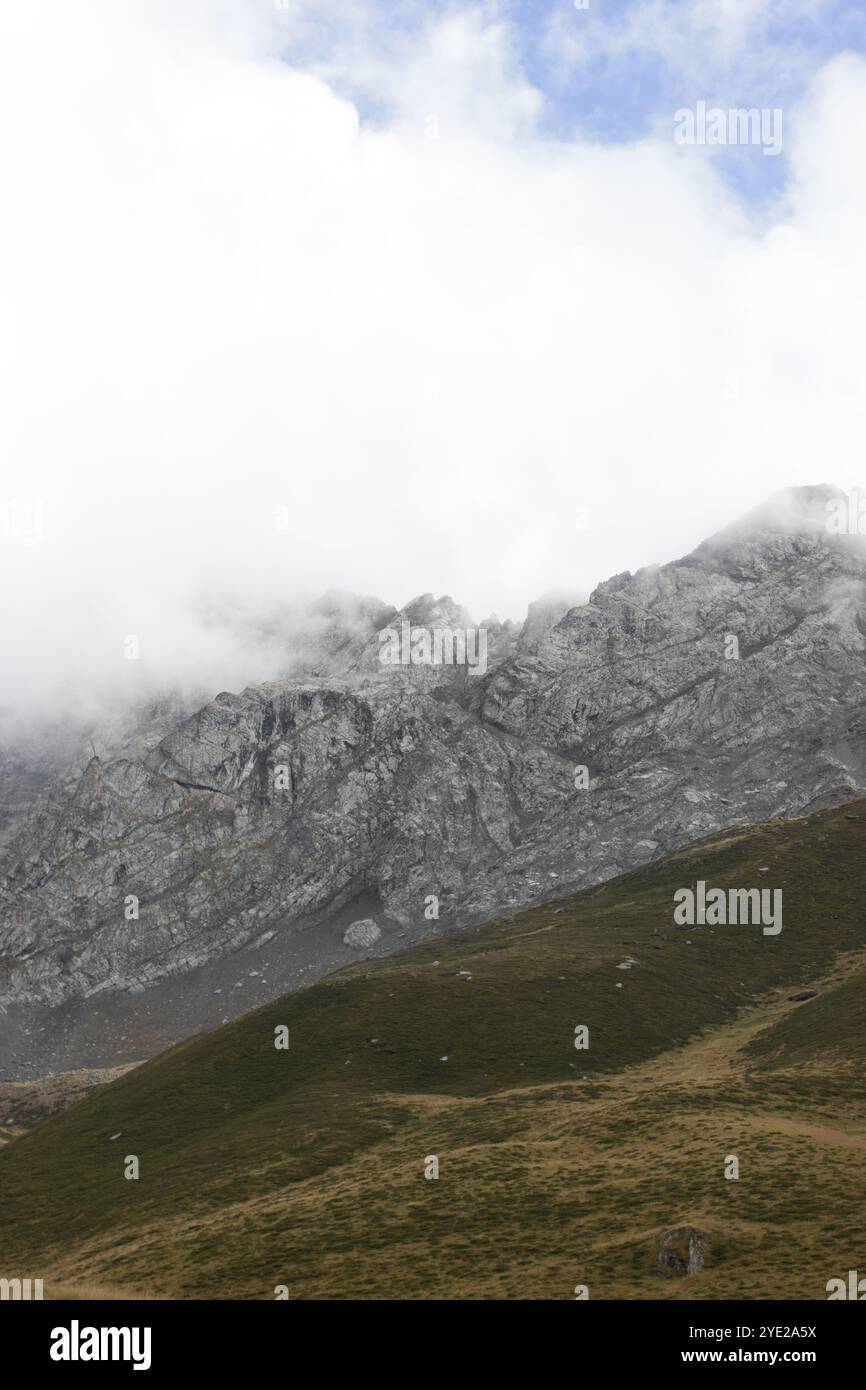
(389, 789)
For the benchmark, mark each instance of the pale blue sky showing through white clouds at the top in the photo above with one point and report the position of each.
(614, 72)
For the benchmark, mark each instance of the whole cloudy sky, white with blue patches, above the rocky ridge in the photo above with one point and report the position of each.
(405, 298)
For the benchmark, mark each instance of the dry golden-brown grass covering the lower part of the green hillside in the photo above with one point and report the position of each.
(575, 1191)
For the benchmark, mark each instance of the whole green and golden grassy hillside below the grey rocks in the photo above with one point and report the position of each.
(307, 1168)
